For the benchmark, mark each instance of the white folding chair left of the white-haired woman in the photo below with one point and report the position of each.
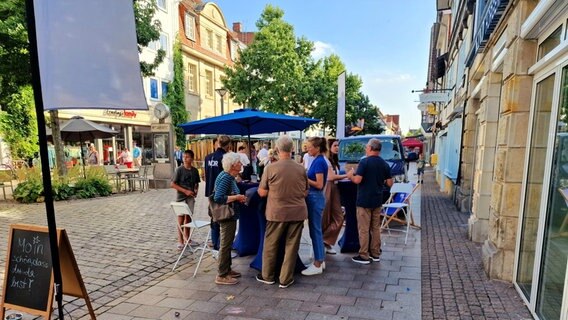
(182, 209)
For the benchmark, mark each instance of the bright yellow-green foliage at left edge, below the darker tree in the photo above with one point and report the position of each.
(19, 125)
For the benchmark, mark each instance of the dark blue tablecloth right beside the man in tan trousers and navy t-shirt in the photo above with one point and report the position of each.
(349, 241)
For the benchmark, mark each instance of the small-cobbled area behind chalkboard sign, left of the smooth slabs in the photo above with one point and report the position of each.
(121, 243)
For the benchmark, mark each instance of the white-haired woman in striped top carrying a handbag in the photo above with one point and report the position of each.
(227, 193)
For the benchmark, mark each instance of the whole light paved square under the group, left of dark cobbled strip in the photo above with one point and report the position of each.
(125, 248)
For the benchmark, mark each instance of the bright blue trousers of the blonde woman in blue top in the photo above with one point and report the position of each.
(316, 204)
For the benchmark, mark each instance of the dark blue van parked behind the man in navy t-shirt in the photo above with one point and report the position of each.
(352, 149)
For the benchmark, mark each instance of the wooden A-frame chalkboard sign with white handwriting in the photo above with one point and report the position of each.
(28, 280)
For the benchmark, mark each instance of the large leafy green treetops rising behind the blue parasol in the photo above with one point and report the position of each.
(277, 73)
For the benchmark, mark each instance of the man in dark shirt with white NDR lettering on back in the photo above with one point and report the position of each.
(213, 167)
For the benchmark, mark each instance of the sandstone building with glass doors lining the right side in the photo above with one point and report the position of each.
(513, 157)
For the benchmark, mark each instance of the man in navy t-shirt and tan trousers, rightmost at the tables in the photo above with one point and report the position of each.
(373, 173)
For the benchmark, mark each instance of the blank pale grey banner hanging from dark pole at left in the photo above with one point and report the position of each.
(88, 55)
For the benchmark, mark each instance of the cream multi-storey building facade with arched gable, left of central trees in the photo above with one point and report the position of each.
(208, 46)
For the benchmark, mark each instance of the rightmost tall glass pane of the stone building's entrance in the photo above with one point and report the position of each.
(555, 244)
